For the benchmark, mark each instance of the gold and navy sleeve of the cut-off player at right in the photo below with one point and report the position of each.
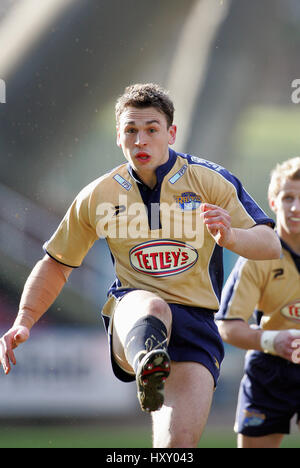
(241, 293)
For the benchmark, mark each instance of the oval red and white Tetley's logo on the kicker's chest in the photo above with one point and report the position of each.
(163, 257)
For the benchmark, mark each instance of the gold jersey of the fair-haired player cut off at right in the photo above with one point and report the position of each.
(269, 289)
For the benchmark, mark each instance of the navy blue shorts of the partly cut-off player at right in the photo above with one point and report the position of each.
(269, 395)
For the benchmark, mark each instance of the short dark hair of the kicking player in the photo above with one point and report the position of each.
(146, 95)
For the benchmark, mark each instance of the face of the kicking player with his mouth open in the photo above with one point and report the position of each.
(144, 137)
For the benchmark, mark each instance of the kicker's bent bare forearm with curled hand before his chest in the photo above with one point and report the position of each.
(259, 242)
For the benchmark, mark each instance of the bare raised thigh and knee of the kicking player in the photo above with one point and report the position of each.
(132, 307)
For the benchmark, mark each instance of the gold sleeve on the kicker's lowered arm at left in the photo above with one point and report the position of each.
(75, 235)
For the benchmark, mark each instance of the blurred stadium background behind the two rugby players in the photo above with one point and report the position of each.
(229, 65)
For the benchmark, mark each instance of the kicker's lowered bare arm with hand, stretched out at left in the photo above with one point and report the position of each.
(41, 289)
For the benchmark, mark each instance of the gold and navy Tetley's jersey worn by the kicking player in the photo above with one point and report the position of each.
(155, 236)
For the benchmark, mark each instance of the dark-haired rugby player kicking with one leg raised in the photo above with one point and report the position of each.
(166, 217)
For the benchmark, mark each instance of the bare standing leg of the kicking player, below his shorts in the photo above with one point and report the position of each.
(188, 397)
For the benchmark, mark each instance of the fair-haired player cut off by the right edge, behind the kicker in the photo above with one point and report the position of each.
(270, 389)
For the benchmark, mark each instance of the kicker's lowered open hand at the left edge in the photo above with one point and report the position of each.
(11, 340)
